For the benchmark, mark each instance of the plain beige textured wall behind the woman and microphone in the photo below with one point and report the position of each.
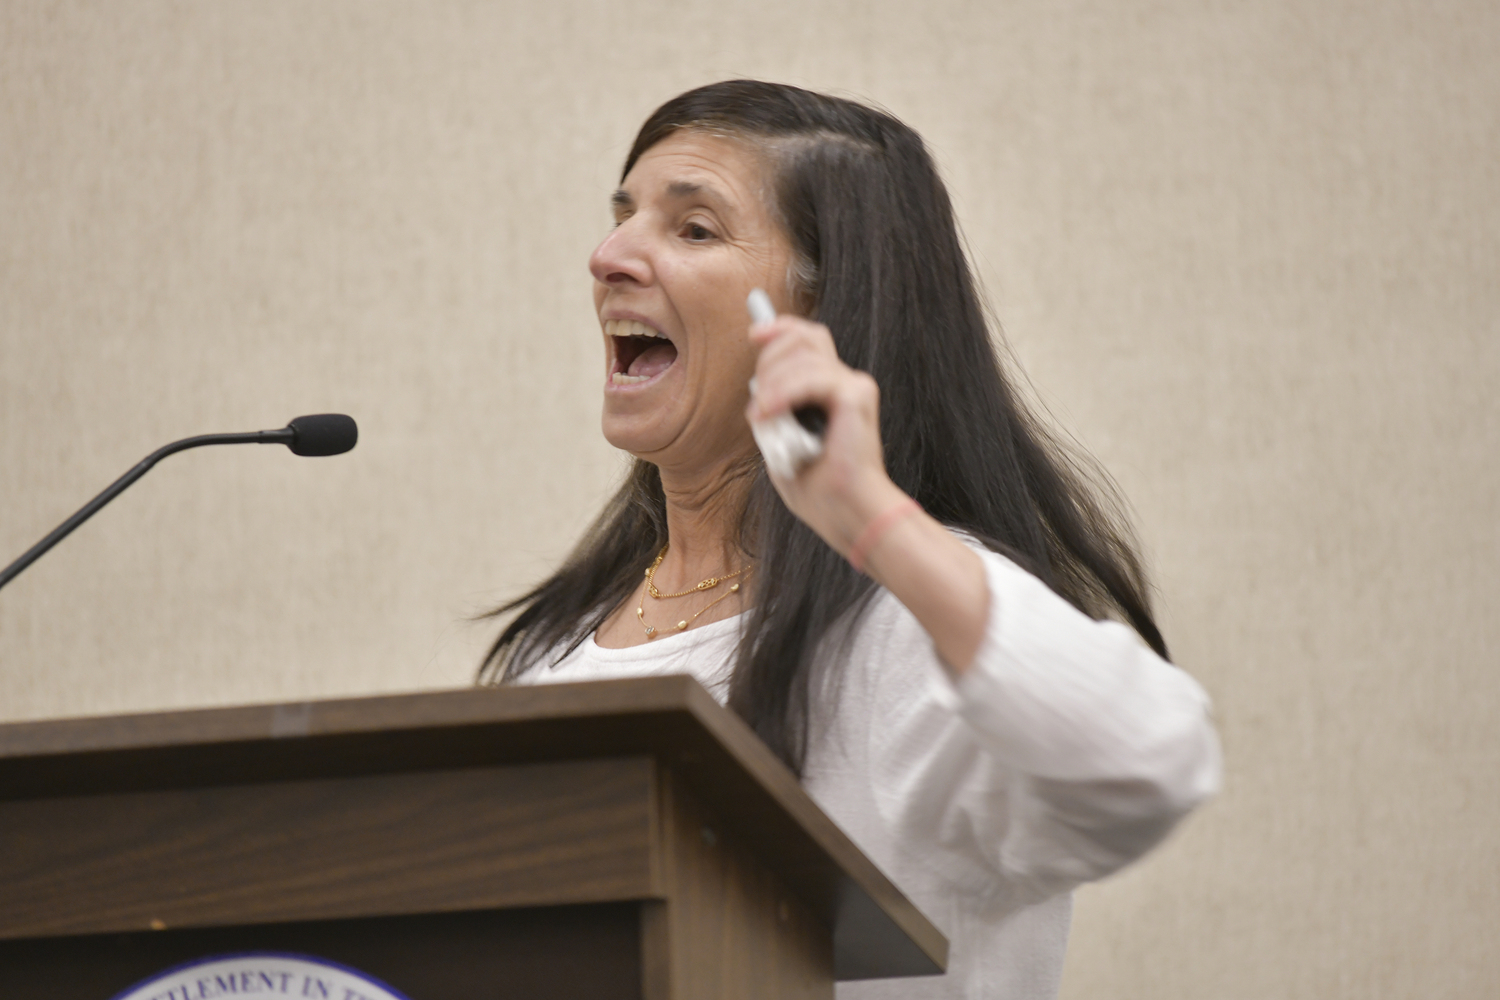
(1247, 254)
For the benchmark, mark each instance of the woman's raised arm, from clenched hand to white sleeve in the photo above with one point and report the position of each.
(1099, 746)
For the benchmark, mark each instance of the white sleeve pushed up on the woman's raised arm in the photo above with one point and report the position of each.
(1066, 752)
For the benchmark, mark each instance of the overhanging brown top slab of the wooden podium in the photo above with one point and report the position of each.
(673, 719)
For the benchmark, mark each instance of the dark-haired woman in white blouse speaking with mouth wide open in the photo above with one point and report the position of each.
(920, 623)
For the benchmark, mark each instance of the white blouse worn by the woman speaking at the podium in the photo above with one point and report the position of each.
(1066, 752)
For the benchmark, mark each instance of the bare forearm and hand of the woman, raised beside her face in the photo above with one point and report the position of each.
(854, 506)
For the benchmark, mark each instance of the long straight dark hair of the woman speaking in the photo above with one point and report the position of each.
(881, 265)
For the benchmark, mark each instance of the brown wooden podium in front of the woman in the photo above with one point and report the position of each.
(623, 839)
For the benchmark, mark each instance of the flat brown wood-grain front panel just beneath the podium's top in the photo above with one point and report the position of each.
(325, 849)
